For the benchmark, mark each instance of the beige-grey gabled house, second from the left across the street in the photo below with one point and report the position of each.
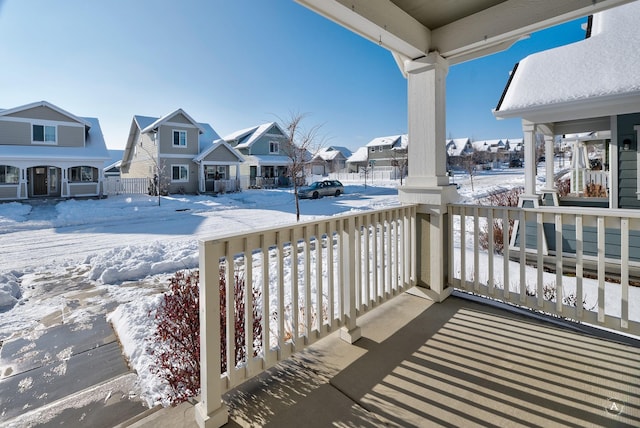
(179, 155)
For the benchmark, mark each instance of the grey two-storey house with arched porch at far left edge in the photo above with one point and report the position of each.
(46, 151)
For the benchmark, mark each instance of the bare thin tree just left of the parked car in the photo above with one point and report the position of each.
(302, 144)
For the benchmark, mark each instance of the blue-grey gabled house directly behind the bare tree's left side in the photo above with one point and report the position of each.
(266, 154)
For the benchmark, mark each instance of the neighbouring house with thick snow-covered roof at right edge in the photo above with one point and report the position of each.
(588, 88)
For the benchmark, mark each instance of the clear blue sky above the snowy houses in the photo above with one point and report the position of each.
(233, 64)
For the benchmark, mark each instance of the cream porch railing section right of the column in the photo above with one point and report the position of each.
(575, 263)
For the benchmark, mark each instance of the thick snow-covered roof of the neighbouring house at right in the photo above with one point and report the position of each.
(590, 78)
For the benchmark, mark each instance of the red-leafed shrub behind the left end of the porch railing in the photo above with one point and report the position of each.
(177, 335)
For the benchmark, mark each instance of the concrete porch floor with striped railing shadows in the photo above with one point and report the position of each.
(457, 363)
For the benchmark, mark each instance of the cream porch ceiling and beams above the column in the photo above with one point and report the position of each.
(459, 30)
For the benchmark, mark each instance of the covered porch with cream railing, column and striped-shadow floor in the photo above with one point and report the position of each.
(328, 279)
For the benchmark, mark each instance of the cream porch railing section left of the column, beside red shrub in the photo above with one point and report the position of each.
(307, 280)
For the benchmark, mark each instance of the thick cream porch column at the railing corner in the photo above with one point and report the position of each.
(427, 183)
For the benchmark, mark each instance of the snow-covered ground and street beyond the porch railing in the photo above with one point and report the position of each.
(77, 259)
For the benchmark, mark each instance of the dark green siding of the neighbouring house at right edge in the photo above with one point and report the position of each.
(627, 161)
